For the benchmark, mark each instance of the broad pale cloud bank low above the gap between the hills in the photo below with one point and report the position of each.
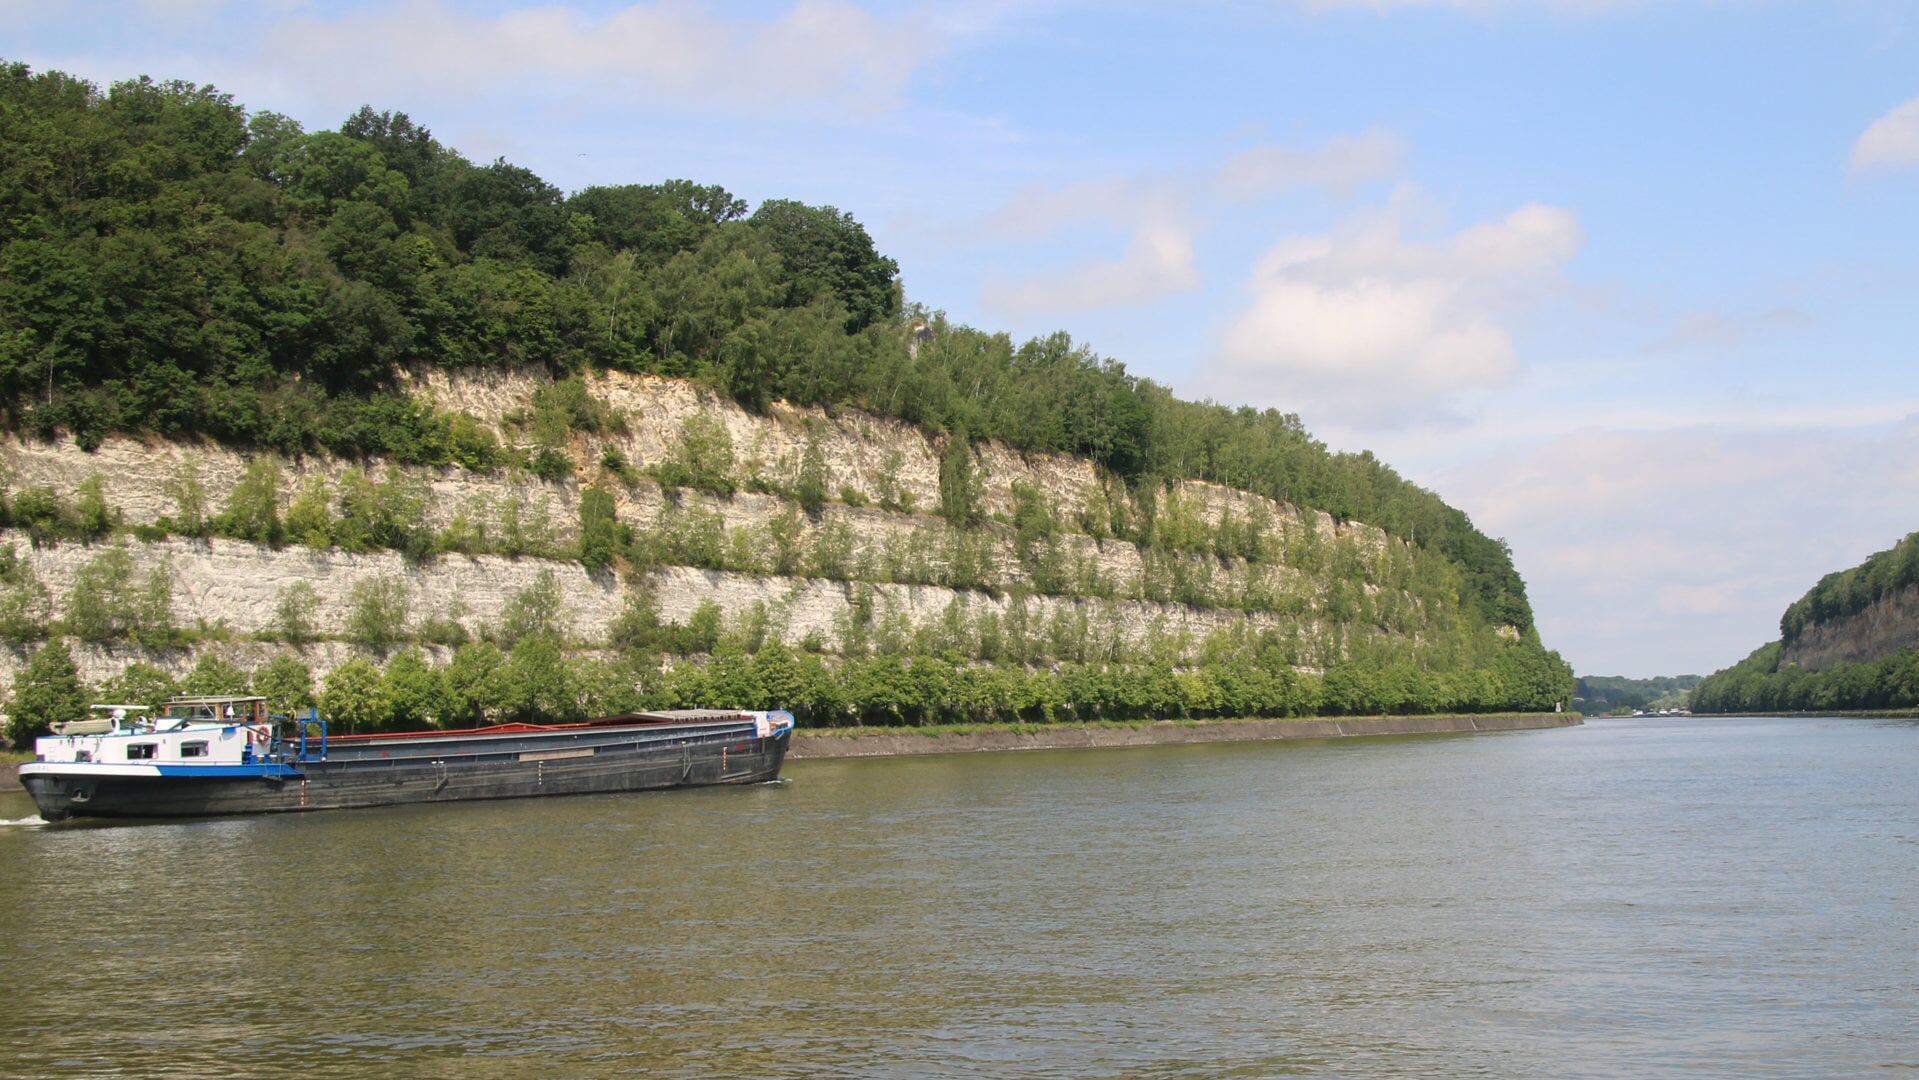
(1665, 553)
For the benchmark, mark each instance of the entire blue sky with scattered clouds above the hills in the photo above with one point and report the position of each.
(1634, 283)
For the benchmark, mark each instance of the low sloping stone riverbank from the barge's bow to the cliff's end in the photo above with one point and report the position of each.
(899, 741)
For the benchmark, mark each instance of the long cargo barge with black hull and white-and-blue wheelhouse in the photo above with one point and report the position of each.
(227, 755)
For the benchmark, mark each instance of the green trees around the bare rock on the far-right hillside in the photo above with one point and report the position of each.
(1765, 684)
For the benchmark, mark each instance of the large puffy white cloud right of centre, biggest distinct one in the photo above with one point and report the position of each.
(1365, 319)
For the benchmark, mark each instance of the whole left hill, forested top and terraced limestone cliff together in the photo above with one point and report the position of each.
(346, 413)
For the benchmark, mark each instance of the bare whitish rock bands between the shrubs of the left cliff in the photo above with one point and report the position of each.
(229, 590)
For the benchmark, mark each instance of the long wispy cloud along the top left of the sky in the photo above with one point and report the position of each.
(818, 51)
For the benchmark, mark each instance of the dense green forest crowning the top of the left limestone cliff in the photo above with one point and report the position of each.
(176, 266)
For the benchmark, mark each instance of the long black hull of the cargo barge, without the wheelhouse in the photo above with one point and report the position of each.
(696, 761)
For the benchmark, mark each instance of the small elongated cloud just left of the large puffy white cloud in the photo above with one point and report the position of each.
(1158, 264)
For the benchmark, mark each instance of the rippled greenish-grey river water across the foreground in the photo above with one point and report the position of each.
(1626, 899)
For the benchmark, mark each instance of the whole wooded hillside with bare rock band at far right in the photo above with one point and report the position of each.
(1849, 644)
